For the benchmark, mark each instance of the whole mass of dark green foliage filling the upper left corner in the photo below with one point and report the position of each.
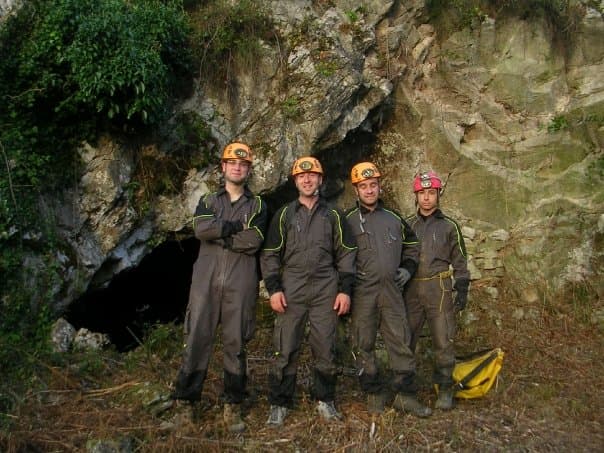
(69, 67)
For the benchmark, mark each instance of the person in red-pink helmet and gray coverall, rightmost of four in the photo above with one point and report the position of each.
(428, 295)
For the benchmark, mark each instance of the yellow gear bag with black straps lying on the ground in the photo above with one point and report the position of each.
(475, 375)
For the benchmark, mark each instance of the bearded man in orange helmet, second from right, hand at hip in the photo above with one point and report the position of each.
(387, 256)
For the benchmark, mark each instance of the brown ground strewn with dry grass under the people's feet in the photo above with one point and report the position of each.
(549, 397)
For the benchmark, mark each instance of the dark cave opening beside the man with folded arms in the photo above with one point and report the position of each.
(156, 291)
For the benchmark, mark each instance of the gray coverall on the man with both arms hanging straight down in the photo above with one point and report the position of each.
(309, 255)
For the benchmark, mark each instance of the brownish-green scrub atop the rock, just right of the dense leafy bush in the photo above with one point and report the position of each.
(227, 35)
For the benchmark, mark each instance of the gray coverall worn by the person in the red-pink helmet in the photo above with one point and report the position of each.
(428, 296)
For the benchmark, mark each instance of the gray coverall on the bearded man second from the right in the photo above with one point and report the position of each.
(385, 243)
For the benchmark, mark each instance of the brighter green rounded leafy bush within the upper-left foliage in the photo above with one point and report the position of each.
(124, 57)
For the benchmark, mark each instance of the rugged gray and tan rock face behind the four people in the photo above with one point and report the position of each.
(509, 115)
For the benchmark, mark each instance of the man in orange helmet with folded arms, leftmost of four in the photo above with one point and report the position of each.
(230, 225)
